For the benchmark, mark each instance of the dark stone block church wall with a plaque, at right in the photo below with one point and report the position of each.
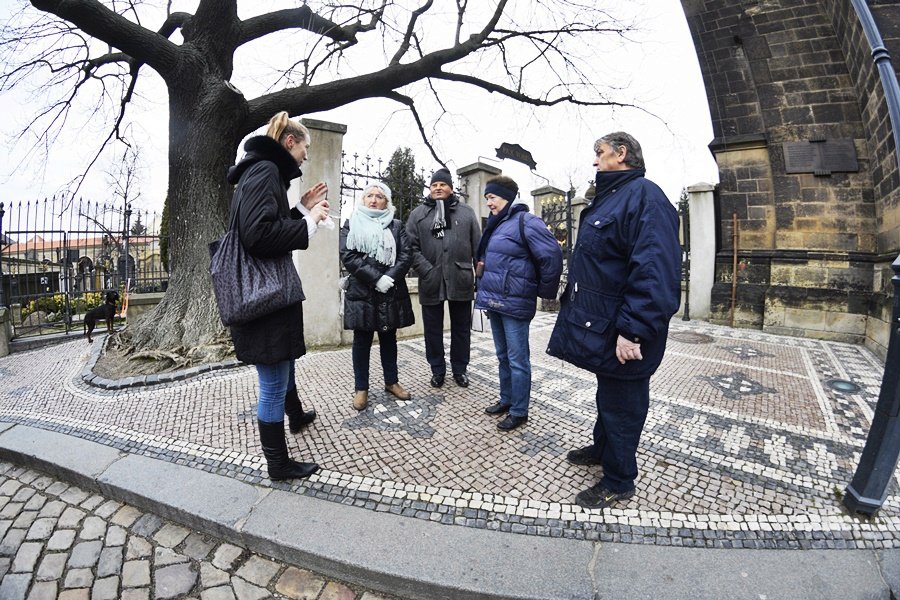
(814, 247)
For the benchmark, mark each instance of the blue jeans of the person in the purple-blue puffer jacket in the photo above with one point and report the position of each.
(511, 344)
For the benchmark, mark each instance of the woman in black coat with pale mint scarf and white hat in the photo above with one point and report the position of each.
(377, 254)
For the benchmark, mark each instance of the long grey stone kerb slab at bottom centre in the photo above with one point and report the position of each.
(417, 558)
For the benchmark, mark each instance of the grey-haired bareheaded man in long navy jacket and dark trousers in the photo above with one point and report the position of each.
(623, 287)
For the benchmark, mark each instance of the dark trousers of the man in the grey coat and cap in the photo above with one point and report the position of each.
(460, 336)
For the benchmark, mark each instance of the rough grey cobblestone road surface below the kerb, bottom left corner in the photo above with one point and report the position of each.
(59, 541)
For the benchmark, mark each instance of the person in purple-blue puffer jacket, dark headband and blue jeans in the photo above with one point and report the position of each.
(518, 260)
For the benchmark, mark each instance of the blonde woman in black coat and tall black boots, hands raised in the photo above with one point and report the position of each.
(269, 228)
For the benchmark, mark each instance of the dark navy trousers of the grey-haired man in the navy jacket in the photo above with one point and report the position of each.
(622, 407)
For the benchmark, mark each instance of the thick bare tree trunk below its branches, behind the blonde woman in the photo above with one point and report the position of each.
(202, 145)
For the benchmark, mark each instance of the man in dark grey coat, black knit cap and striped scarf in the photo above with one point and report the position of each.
(444, 233)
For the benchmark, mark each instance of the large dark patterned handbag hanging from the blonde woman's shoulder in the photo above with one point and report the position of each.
(248, 287)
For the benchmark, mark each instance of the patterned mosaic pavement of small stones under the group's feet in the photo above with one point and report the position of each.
(748, 443)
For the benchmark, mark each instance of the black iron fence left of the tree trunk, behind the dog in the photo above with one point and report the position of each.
(58, 258)
